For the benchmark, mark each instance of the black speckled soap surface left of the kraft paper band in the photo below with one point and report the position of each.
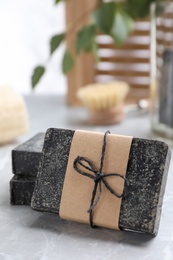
(49, 183)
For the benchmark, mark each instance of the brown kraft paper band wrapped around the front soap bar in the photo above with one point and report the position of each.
(77, 189)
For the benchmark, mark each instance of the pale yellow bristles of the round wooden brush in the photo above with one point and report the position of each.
(103, 96)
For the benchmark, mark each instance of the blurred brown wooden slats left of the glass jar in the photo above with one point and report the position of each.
(130, 63)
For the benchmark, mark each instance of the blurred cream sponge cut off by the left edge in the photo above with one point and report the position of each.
(13, 115)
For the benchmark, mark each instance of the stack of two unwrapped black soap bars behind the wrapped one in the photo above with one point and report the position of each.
(25, 163)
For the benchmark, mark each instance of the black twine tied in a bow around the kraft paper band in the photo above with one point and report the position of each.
(99, 177)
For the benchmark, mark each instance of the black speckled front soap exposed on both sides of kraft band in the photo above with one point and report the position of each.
(146, 173)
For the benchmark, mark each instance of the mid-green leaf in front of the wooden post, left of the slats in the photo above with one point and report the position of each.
(85, 38)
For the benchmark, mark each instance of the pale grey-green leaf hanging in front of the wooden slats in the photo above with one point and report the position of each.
(123, 25)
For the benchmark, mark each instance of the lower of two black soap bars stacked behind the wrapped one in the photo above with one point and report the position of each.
(21, 190)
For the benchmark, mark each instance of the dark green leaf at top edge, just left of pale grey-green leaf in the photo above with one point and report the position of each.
(104, 16)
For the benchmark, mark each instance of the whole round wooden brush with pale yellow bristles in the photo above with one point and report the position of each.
(104, 101)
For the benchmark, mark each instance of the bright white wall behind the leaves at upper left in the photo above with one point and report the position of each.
(25, 29)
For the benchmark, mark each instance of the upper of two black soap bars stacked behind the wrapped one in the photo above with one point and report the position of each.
(26, 157)
